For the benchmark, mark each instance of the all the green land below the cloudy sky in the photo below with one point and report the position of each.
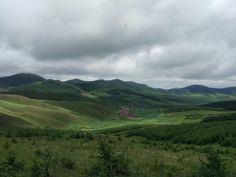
(70, 129)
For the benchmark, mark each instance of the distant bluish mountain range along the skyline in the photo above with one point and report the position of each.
(28, 78)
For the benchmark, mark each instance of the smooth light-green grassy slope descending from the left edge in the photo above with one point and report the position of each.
(38, 113)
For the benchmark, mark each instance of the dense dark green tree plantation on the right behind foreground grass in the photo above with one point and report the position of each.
(223, 133)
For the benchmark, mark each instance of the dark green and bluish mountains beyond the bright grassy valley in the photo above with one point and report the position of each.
(114, 92)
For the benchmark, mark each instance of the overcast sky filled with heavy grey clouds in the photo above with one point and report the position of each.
(163, 43)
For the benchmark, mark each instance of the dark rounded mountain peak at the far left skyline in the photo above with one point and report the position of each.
(19, 80)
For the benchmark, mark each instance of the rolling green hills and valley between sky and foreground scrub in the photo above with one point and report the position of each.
(28, 100)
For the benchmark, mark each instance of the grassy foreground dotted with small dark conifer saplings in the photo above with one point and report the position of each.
(54, 153)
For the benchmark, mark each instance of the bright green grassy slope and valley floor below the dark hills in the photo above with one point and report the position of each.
(91, 114)
